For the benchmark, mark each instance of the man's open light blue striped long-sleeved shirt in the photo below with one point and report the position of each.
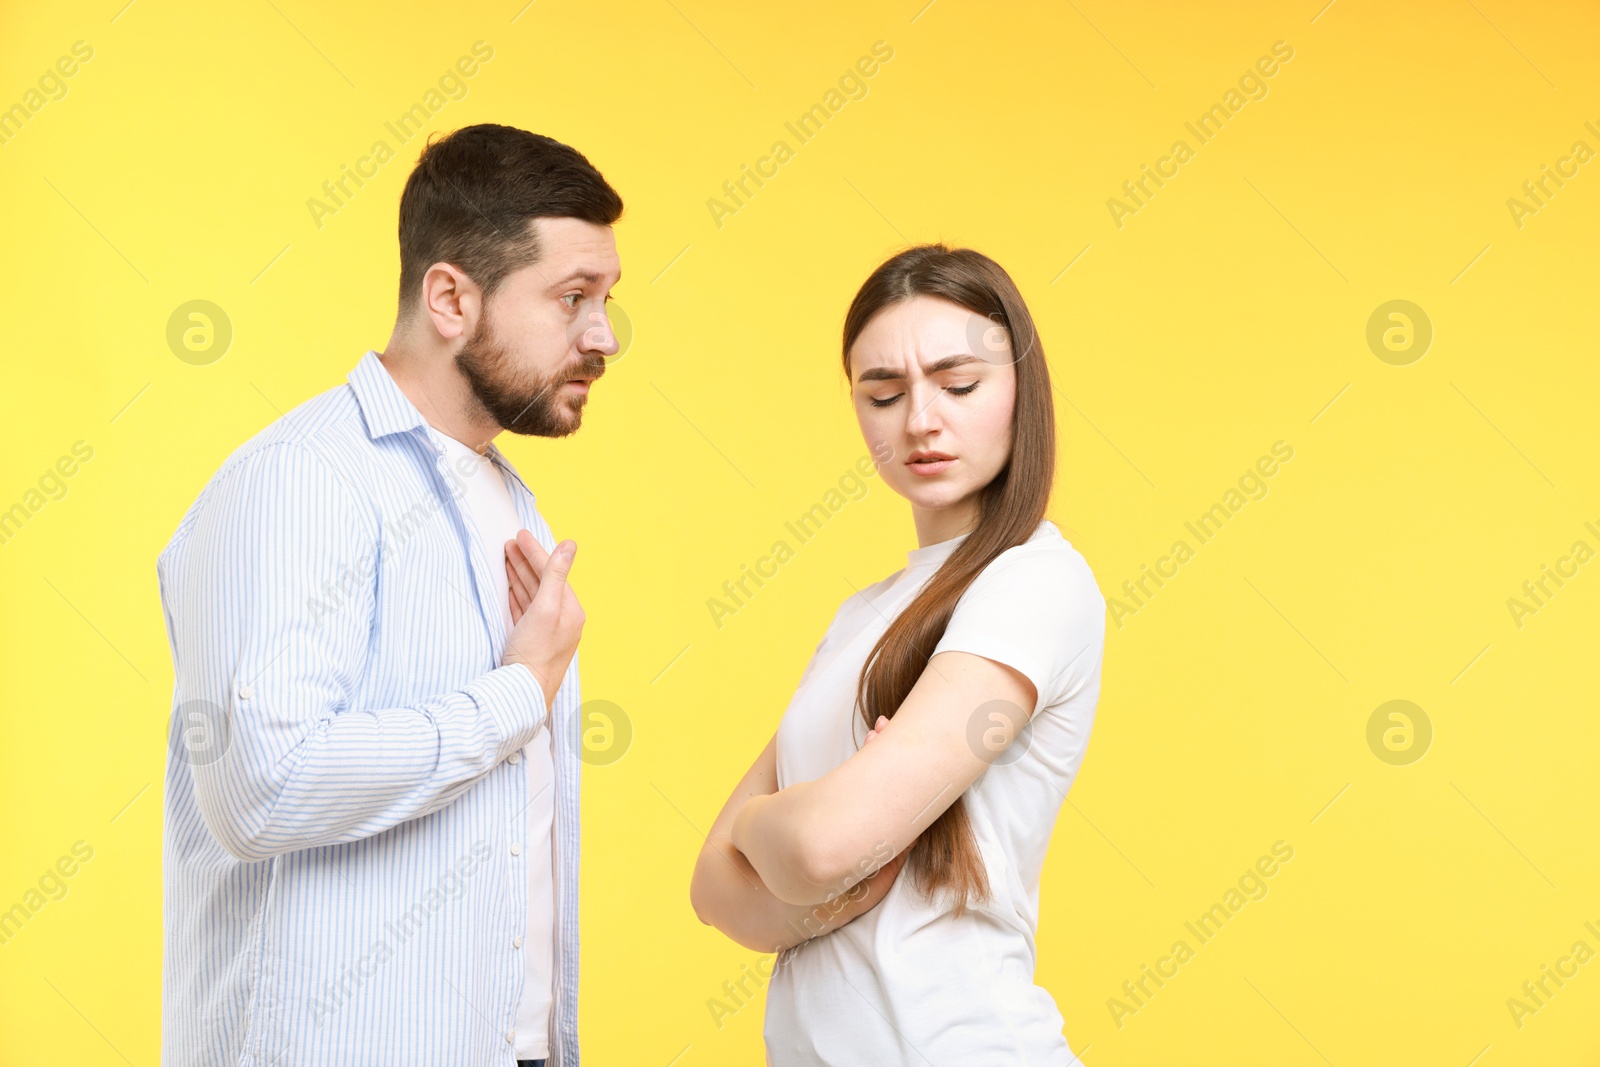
(345, 871)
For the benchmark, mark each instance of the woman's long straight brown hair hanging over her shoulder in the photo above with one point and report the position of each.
(1010, 510)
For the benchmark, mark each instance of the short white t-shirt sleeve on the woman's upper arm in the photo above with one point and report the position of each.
(1036, 610)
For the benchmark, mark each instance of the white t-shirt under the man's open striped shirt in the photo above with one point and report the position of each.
(487, 503)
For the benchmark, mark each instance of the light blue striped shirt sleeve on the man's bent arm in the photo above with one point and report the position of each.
(271, 639)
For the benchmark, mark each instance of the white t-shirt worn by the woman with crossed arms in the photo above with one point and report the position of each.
(908, 983)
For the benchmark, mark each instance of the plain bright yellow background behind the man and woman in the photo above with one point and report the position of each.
(1228, 314)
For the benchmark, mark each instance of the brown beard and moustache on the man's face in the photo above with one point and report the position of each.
(522, 402)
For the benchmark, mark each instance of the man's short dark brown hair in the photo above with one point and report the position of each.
(474, 194)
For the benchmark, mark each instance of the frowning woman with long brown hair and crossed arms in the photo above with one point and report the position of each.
(942, 719)
